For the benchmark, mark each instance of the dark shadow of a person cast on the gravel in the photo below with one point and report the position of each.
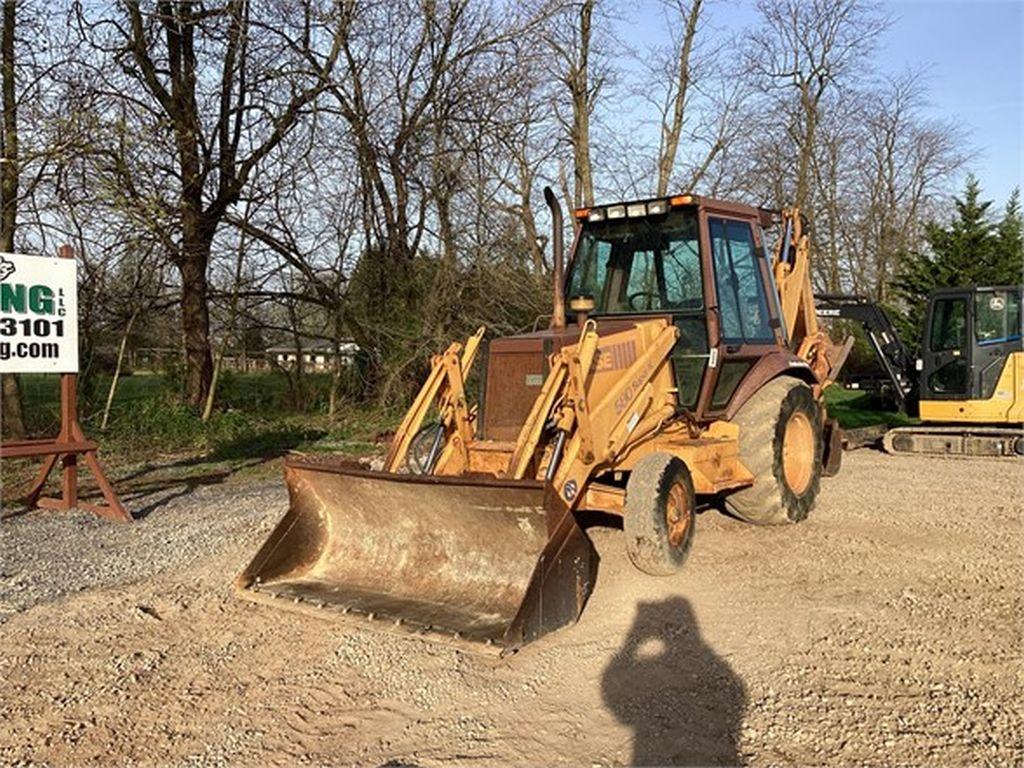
(685, 704)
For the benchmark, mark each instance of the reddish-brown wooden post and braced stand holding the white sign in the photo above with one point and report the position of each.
(68, 446)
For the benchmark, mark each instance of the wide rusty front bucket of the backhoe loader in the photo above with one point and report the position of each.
(475, 558)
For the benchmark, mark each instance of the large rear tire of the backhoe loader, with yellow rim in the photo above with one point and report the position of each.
(781, 443)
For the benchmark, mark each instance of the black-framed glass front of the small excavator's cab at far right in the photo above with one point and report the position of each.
(947, 352)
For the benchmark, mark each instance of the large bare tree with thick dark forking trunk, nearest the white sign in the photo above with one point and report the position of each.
(212, 78)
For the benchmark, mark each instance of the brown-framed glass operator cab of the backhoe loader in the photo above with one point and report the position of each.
(703, 263)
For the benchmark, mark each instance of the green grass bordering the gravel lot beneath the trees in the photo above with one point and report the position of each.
(152, 435)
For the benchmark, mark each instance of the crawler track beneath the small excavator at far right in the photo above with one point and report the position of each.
(956, 441)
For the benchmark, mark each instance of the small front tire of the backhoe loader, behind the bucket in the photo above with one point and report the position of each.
(661, 515)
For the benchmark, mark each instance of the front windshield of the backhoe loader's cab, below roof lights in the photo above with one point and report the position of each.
(637, 266)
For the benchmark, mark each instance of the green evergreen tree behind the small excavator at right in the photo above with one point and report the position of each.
(972, 250)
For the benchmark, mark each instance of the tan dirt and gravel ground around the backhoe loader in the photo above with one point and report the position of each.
(885, 630)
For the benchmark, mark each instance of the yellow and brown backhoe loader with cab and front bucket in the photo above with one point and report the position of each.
(694, 368)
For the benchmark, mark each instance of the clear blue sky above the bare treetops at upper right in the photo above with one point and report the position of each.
(971, 52)
